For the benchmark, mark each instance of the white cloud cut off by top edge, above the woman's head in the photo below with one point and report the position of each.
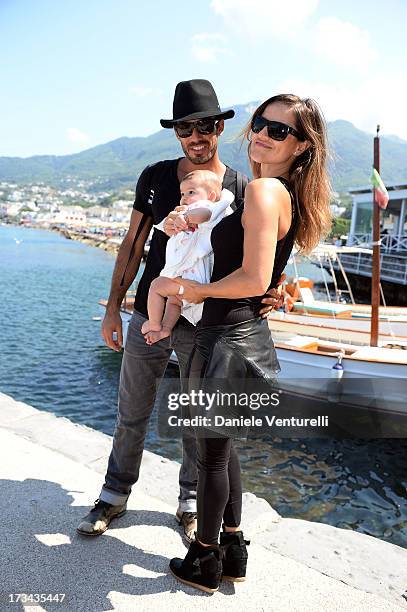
(257, 18)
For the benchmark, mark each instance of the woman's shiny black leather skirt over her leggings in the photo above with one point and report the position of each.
(231, 365)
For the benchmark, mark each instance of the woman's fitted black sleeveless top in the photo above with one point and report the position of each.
(227, 243)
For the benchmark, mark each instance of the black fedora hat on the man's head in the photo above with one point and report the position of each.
(195, 99)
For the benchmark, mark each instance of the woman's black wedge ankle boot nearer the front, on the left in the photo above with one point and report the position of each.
(201, 568)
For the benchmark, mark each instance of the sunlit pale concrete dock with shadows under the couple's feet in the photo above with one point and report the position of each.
(51, 471)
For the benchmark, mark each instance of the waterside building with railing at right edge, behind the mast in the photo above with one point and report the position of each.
(393, 234)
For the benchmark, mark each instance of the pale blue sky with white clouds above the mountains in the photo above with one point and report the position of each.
(78, 73)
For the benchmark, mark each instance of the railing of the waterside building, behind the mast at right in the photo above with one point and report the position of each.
(393, 269)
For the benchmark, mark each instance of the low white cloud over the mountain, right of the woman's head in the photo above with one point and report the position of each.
(364, 104)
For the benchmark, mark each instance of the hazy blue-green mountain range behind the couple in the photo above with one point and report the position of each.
(119, 162)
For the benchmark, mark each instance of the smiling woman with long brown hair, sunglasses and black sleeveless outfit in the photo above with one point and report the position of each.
(287, 203)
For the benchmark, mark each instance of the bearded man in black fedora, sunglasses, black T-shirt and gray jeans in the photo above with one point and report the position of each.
(197, 121)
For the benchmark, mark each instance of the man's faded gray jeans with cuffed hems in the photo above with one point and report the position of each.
(142, 369)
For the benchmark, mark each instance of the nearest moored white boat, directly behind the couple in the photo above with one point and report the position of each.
(308, 365)
